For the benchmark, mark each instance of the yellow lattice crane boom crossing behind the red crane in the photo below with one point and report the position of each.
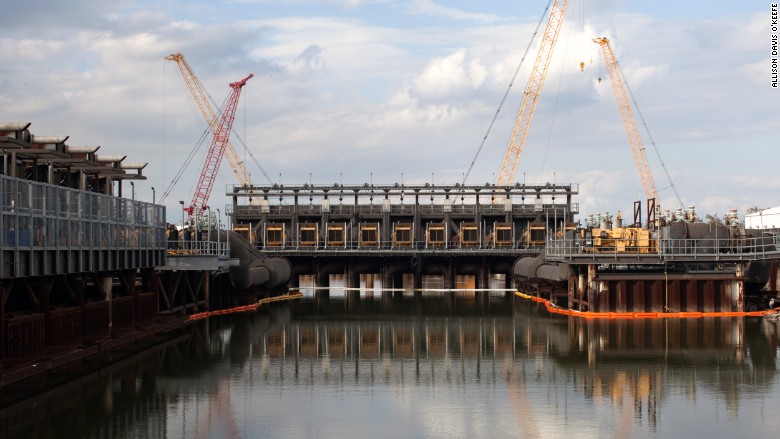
(203, 102)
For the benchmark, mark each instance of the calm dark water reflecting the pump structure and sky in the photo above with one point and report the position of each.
(436, 365)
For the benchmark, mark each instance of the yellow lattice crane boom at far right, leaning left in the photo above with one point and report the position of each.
(616, 77)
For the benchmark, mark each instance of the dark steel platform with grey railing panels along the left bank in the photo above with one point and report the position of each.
(82, 268)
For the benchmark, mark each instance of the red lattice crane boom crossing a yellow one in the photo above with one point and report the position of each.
(216, 151)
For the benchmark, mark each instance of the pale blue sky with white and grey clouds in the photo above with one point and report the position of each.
(353, 91)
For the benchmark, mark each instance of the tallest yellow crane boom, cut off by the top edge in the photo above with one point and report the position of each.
(531, 95)
